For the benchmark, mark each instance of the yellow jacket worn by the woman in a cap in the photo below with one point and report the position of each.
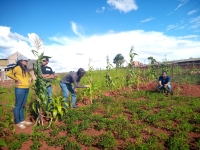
(16, 74)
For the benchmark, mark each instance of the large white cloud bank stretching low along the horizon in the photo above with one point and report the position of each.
(72, 53)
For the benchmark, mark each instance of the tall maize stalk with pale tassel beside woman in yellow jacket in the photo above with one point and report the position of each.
(39, 106)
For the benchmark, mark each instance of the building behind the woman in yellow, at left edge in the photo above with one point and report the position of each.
(9, 62)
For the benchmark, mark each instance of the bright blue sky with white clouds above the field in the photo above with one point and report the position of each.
(75, 30)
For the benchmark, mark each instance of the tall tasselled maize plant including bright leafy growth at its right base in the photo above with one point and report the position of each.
(40, 107)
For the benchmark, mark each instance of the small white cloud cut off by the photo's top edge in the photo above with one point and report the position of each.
(123, 5)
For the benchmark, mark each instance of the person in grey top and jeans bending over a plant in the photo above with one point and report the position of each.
(66, 84)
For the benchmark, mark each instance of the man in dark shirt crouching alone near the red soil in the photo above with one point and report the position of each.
(164, 83)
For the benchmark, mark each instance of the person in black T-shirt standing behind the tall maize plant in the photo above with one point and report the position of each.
(47, 73)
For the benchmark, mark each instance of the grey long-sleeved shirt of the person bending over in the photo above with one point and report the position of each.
(72, 78)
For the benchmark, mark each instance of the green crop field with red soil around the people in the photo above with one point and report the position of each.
(120, 113)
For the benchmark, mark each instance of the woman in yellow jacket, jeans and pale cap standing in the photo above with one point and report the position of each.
(22, 82)
